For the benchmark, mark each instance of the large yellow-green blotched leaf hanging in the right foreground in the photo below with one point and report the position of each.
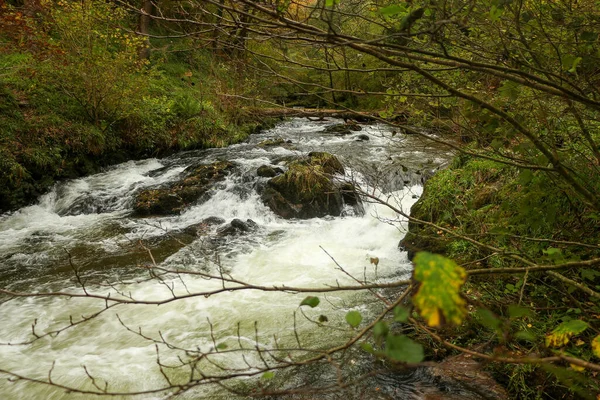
(438, 298)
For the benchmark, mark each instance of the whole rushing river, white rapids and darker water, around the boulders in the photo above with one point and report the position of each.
(86, 223)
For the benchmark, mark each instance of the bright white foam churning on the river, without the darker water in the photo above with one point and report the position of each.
(281, 252)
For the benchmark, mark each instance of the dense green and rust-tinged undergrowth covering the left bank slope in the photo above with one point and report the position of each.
(76, 96)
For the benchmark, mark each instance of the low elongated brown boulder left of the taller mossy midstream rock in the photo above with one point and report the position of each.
(198, 179)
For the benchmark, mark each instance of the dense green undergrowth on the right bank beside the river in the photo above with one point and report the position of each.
(513, 210)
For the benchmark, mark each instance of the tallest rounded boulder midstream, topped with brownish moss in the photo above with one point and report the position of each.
(308, 188)
